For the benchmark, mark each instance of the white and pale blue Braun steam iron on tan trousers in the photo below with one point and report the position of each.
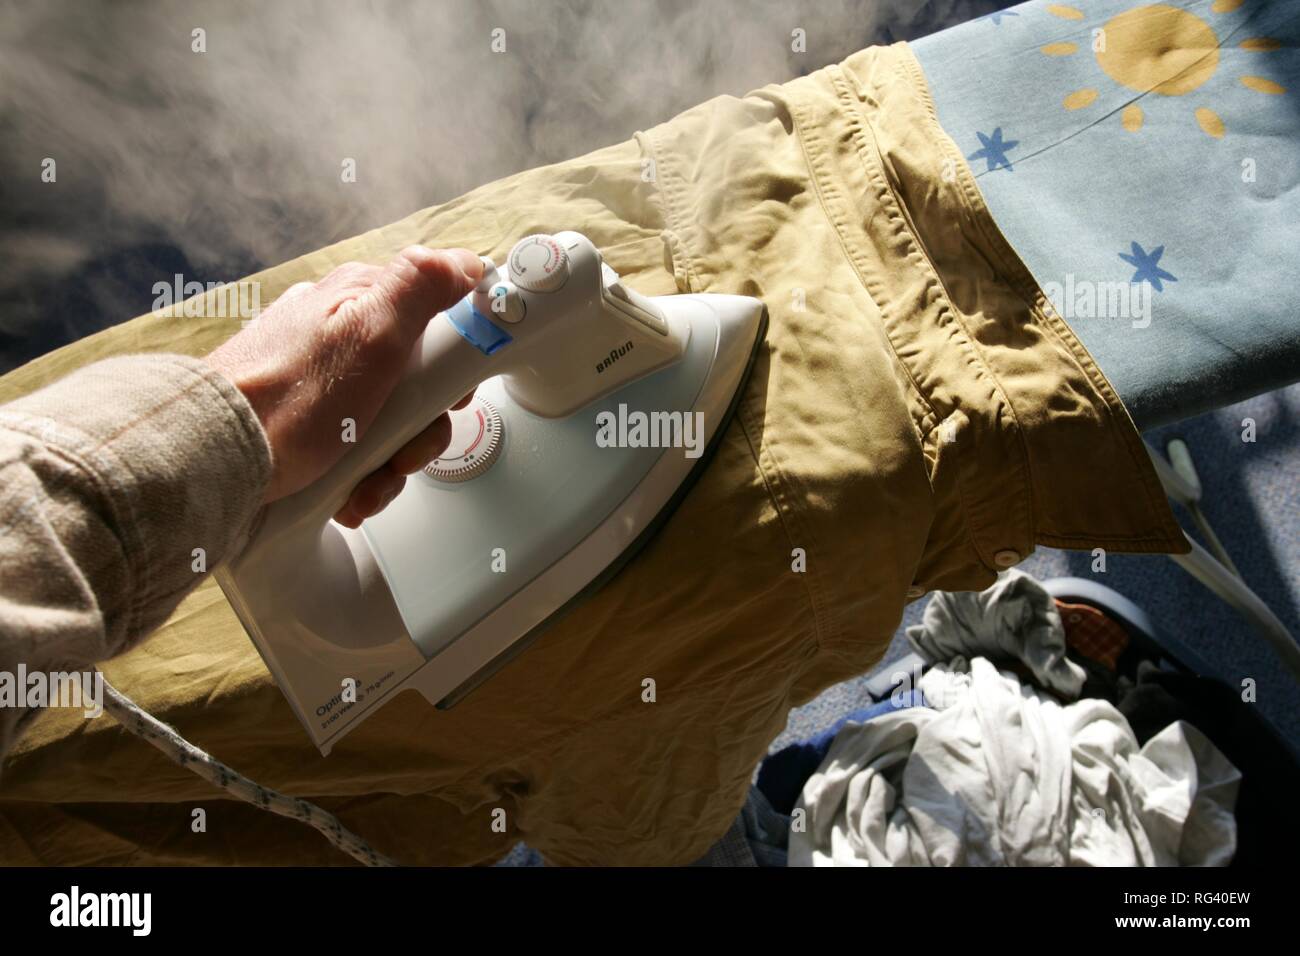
(595, 410)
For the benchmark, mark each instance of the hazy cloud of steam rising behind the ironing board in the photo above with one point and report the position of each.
(215, 165)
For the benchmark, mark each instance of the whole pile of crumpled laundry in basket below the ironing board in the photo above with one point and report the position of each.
(1025, 743)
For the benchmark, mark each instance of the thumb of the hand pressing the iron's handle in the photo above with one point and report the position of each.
(421, 283)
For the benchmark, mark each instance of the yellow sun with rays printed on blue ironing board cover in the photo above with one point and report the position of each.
(1163, 50)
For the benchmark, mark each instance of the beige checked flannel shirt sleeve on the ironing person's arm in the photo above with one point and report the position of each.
(120, 486)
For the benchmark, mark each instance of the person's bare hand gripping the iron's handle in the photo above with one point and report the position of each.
(332, 351)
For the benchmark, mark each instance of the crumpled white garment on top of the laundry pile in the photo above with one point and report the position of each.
(998, 773)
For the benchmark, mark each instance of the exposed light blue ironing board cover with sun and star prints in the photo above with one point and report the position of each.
(1145, 162)
